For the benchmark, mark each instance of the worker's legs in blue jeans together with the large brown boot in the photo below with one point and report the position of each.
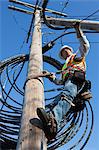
(51, 123)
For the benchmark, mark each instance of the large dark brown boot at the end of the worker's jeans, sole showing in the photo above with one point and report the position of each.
(49, 123)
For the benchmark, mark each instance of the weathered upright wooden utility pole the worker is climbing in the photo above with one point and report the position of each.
(32, 137)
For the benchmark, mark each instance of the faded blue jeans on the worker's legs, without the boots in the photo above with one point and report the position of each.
(62, 107)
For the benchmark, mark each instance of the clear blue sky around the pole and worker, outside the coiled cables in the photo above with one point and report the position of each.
(13, 31)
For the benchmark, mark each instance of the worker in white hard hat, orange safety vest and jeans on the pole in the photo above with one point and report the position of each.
(73, 75)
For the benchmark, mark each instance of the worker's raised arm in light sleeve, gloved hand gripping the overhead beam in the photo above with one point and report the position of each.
(84, 43)
